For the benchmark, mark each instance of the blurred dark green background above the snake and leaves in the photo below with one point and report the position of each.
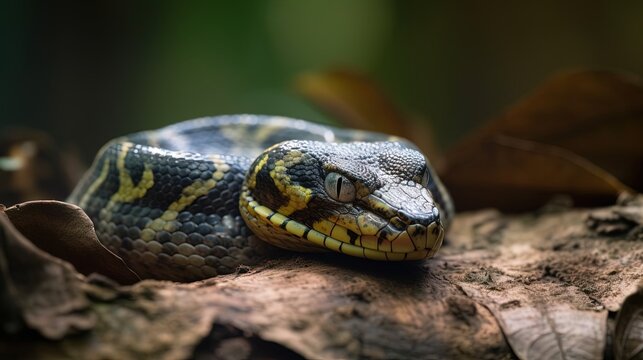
(88, 71)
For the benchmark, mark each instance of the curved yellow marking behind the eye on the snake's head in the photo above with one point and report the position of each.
(298, 196)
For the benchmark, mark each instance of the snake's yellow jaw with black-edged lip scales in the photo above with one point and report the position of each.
(343, 234)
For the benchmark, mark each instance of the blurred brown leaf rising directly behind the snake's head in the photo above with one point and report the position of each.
(358, 102)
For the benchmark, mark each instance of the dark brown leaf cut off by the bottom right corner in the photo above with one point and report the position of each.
(628, 332)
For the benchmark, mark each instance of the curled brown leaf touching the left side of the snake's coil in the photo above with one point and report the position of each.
(64, 230)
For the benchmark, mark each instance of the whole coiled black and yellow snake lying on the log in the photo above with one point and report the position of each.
(204, 197)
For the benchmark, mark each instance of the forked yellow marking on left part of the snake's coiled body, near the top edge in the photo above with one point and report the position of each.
(127, 191)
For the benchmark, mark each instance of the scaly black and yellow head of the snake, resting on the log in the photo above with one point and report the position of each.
(373, 200)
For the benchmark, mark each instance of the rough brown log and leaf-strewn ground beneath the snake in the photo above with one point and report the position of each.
(550, 282)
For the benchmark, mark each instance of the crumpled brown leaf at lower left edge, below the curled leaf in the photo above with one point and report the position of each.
(46, 291)
